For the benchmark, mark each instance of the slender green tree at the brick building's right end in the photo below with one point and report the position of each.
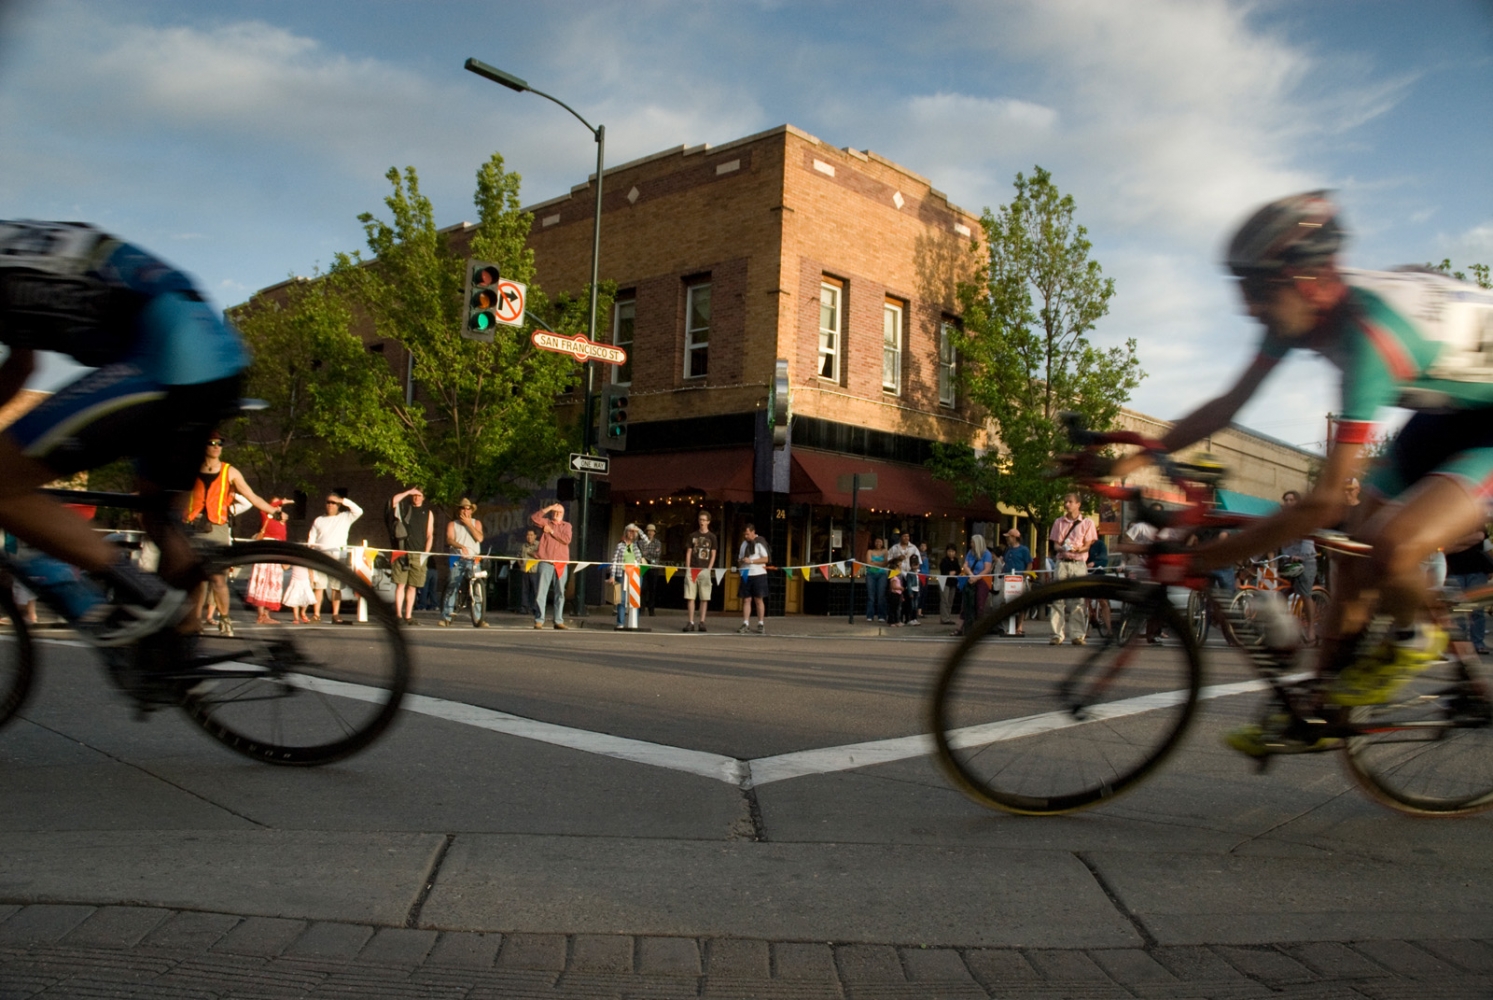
(1026, 357)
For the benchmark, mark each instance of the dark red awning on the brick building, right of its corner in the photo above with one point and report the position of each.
(900, 489)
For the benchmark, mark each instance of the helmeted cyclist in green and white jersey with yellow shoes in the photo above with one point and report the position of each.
(1409, 338)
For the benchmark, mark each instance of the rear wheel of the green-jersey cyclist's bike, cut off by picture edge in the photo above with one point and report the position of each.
(1431, 751)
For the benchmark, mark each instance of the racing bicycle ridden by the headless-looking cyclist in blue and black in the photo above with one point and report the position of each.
(278, 693)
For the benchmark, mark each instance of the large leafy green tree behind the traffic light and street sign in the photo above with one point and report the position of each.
(483, 420)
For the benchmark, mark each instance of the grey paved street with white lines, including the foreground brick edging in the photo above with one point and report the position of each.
(565, 816)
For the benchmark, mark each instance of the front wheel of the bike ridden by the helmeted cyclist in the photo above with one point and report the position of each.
(1043, 731)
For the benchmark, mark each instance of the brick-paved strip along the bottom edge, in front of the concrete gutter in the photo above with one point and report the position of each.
(129, 951)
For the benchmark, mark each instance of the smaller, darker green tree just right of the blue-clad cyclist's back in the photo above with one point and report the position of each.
(302, 343)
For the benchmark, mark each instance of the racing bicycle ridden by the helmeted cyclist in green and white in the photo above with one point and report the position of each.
(1079, 726)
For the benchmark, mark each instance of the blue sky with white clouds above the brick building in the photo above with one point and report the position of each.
(243, 140)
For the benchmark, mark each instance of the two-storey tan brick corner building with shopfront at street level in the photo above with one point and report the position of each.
(777, 247)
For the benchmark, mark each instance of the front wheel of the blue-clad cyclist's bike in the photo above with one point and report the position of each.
(290, 695)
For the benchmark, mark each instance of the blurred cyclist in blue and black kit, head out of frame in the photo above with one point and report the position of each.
(166, 369)
